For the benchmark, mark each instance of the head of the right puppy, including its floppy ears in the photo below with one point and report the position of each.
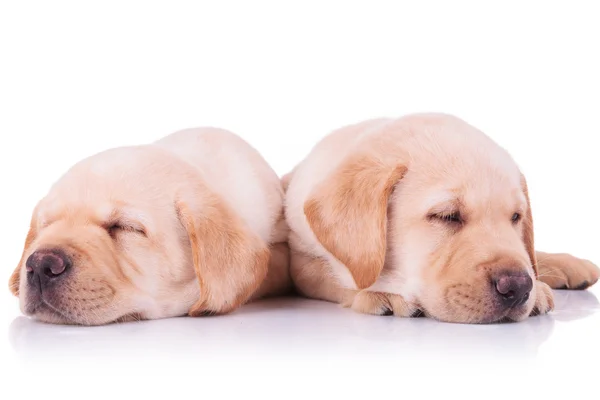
(431, 209)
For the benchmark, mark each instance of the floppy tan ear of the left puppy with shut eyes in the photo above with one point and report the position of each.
(230, 261)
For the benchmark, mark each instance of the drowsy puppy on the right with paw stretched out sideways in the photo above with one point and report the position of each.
(420, 215)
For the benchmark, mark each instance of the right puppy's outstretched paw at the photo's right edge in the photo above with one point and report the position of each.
(564, 271)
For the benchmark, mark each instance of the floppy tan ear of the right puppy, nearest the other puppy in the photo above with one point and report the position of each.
(348, 214)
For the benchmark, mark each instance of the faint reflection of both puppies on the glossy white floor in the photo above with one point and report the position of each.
(299, 329)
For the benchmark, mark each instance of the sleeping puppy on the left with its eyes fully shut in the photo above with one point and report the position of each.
(191, 224)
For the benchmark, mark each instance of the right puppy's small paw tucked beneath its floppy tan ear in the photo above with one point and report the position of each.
(378, 303)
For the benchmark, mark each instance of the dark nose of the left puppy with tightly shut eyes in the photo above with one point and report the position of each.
(45, 266)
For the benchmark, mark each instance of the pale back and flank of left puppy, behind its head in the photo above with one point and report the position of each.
(246, 181)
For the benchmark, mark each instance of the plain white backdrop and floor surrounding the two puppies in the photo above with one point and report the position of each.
(79, 77)
